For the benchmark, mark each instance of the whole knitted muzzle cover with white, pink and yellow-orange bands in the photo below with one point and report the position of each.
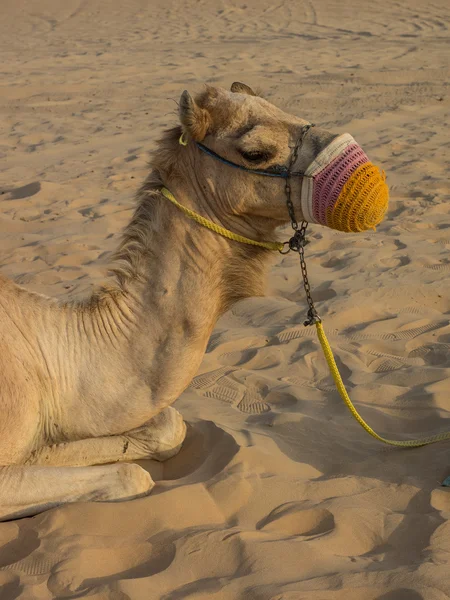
(343, 190)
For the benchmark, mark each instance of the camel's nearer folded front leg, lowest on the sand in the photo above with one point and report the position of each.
(26, 491)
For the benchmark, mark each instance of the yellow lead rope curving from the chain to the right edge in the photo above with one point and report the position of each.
(345, 397)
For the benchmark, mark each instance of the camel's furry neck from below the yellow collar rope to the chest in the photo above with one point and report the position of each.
(175, 279)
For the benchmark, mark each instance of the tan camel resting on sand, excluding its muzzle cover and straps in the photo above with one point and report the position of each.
(87, 387)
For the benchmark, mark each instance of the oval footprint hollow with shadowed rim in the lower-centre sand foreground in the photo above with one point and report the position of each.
(292, 520)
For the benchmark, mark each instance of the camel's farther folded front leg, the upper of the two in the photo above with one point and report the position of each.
(160, 438)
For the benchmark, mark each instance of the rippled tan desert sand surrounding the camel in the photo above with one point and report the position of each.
(277, 494)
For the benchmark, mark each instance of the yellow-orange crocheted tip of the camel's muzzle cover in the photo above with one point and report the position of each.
(363, 201)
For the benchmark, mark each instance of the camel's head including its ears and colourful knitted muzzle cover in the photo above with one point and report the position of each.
(332, 181)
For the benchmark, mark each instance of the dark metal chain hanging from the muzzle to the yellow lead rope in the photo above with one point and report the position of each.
(298, 240)
